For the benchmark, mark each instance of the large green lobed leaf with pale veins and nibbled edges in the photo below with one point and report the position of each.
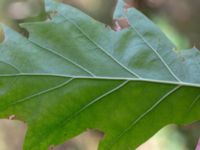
(73, 73)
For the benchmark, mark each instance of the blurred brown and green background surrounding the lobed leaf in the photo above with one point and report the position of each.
(178, 19)
